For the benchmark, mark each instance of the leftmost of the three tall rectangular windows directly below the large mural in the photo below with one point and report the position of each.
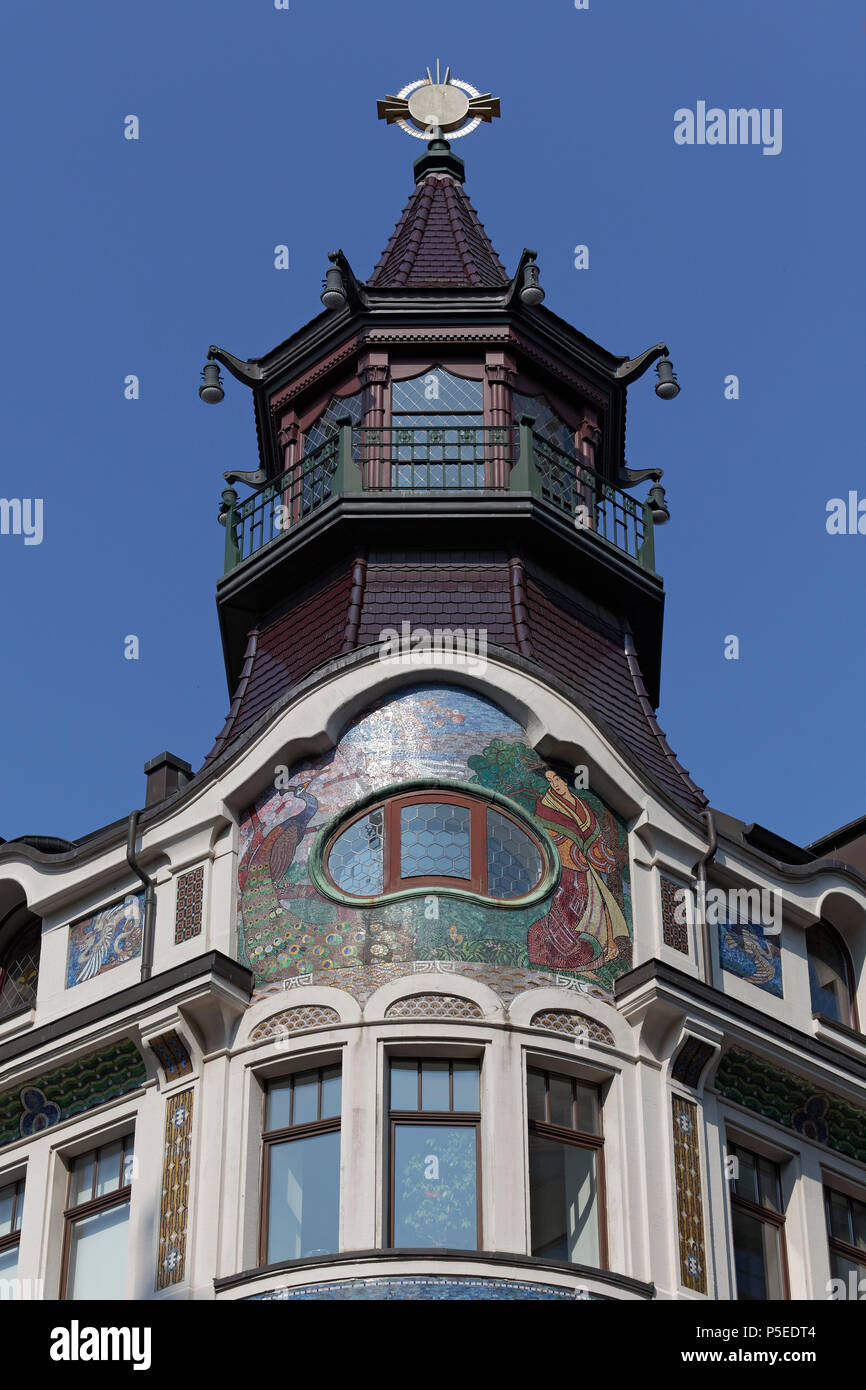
(301, 1209)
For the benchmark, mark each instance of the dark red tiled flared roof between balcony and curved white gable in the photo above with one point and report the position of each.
(580, 643)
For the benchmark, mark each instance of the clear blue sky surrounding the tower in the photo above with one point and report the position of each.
(258, 127)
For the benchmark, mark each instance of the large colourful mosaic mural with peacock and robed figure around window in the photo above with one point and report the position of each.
(288, 928)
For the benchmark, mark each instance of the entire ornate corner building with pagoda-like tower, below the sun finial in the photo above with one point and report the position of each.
(394, 997)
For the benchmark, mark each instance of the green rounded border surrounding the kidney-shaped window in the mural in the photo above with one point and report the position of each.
(548, 885)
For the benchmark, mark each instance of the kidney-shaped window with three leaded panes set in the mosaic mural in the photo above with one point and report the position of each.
(436, 839)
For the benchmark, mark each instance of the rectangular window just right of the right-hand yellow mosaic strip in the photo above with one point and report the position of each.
(758, 1227)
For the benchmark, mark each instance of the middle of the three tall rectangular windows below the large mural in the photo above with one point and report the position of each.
(436, 1115)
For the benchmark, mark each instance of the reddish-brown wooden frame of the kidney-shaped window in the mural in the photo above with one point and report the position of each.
(393, 881)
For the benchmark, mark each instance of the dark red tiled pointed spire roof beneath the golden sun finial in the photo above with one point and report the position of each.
(439, 243)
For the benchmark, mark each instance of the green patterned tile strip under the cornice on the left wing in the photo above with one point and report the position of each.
(70, 1090)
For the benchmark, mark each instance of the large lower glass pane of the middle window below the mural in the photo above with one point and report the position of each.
(436, 1186)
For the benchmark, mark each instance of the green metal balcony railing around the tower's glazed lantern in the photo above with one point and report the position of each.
(437, 461)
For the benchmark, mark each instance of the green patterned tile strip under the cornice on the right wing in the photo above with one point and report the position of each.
(792, 1102)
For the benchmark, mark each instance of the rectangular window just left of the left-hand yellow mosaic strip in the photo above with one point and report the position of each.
(98, 1223)
